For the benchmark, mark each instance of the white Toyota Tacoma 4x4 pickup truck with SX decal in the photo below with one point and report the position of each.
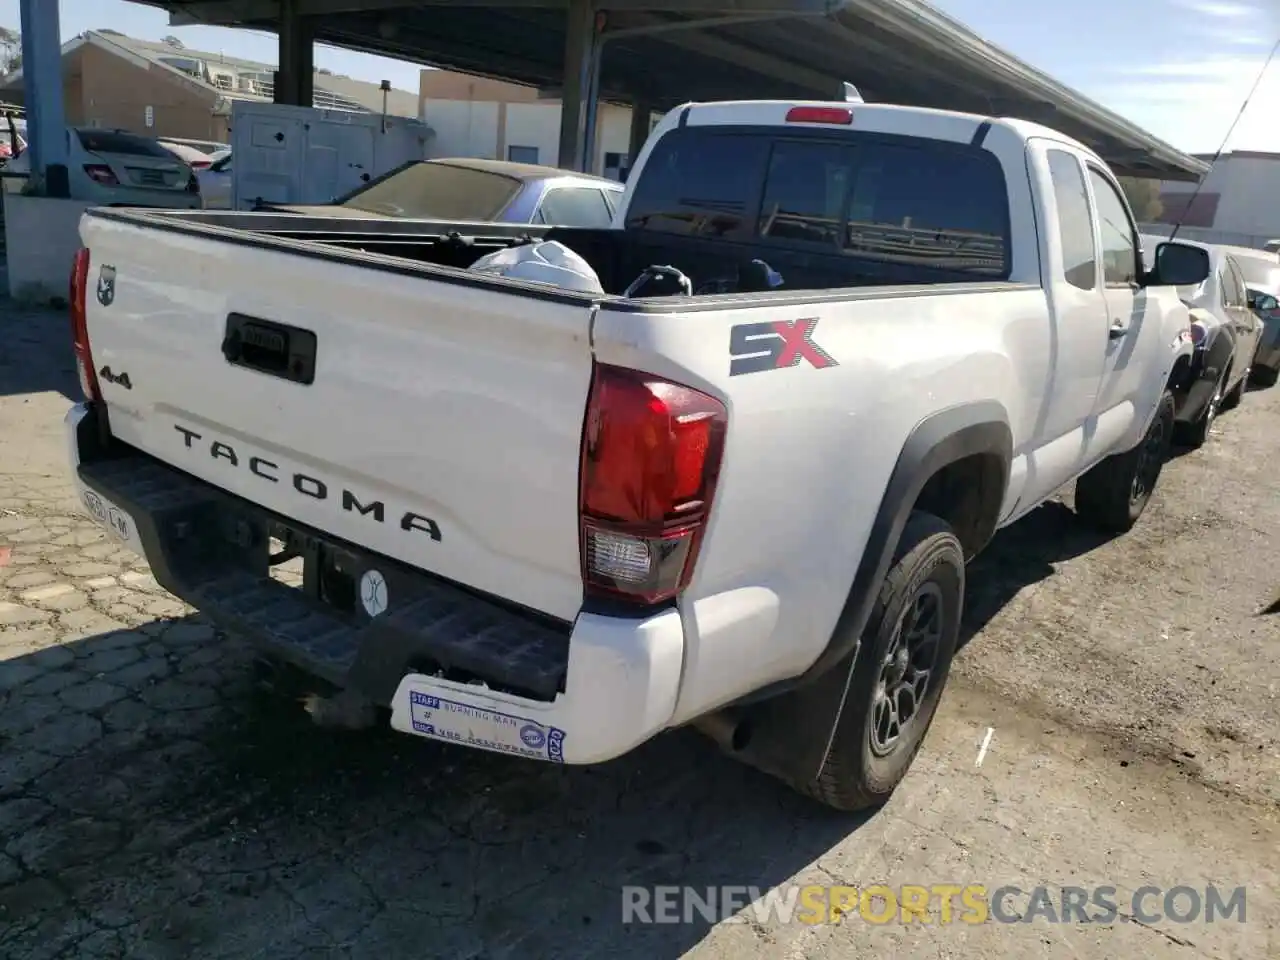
(555, 524)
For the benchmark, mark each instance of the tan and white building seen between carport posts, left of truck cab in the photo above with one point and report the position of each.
(500, 121)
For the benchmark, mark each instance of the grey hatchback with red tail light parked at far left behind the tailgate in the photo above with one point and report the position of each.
(117, 168)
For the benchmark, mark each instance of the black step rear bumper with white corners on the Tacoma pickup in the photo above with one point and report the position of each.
(450, 664)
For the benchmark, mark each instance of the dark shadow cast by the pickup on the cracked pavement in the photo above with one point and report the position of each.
(159, 802)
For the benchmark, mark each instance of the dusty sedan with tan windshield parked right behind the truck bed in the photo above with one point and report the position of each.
(464, 189)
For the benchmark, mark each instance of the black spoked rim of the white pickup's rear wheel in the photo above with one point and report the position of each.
(907, 670)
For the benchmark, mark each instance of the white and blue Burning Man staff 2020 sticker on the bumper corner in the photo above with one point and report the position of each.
(484, 729)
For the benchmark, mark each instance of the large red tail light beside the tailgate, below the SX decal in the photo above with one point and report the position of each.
(651, 458)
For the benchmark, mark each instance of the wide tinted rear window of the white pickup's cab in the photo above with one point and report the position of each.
(879, 199)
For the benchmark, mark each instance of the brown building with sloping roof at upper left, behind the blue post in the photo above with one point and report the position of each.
(167, 90)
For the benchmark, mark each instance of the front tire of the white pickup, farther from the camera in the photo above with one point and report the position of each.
(1116, 492)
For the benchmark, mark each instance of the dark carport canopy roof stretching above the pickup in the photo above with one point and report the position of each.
(671, 52)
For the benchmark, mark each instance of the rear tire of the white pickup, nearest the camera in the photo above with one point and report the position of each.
(927, 575)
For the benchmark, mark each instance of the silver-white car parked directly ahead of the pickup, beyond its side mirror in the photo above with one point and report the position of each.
(1227, 333)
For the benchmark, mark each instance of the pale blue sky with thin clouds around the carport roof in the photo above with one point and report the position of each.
(1178, 68)
